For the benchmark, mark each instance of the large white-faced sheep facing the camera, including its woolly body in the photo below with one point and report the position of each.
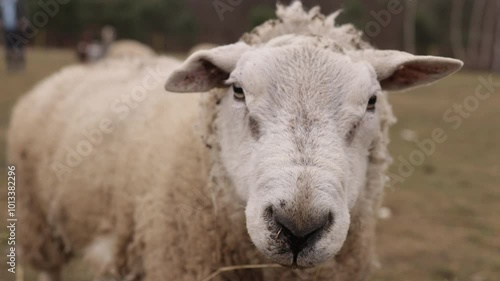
(278, 154)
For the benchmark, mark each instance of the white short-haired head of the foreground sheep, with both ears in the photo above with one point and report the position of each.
(296, 128)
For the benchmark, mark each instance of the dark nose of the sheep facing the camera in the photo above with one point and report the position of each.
(301, 230)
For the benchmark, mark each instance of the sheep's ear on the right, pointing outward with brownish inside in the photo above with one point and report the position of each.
(400, 71)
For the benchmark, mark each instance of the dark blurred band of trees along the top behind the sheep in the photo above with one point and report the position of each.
(467, 29)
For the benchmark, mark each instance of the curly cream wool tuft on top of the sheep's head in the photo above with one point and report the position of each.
(294, 19)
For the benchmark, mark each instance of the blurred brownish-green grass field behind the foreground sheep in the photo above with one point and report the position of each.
(445, 223)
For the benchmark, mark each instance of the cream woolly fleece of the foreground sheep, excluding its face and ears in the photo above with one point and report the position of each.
(152, 200)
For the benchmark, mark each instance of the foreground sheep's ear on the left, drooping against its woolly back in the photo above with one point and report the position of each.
(205, 69)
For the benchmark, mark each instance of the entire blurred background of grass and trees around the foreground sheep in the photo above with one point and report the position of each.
(440, 223)
